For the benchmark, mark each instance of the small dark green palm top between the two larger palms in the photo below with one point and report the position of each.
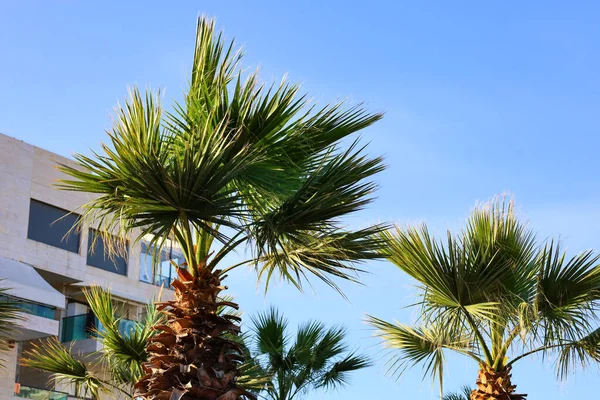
(317, 359)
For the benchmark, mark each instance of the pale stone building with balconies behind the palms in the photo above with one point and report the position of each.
(46, 271)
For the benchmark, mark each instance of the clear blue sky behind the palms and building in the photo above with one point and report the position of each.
(479, 99)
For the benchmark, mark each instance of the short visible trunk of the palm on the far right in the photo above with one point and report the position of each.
(495, 385)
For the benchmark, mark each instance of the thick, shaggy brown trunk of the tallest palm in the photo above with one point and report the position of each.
(192, 358)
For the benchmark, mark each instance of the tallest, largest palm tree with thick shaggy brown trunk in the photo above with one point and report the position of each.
(247, 165)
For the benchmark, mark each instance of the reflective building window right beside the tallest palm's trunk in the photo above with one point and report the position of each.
(160, 268)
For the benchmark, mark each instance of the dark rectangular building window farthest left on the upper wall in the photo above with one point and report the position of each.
(53, 226)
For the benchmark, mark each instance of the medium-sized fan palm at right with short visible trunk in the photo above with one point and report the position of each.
(495, 294)
